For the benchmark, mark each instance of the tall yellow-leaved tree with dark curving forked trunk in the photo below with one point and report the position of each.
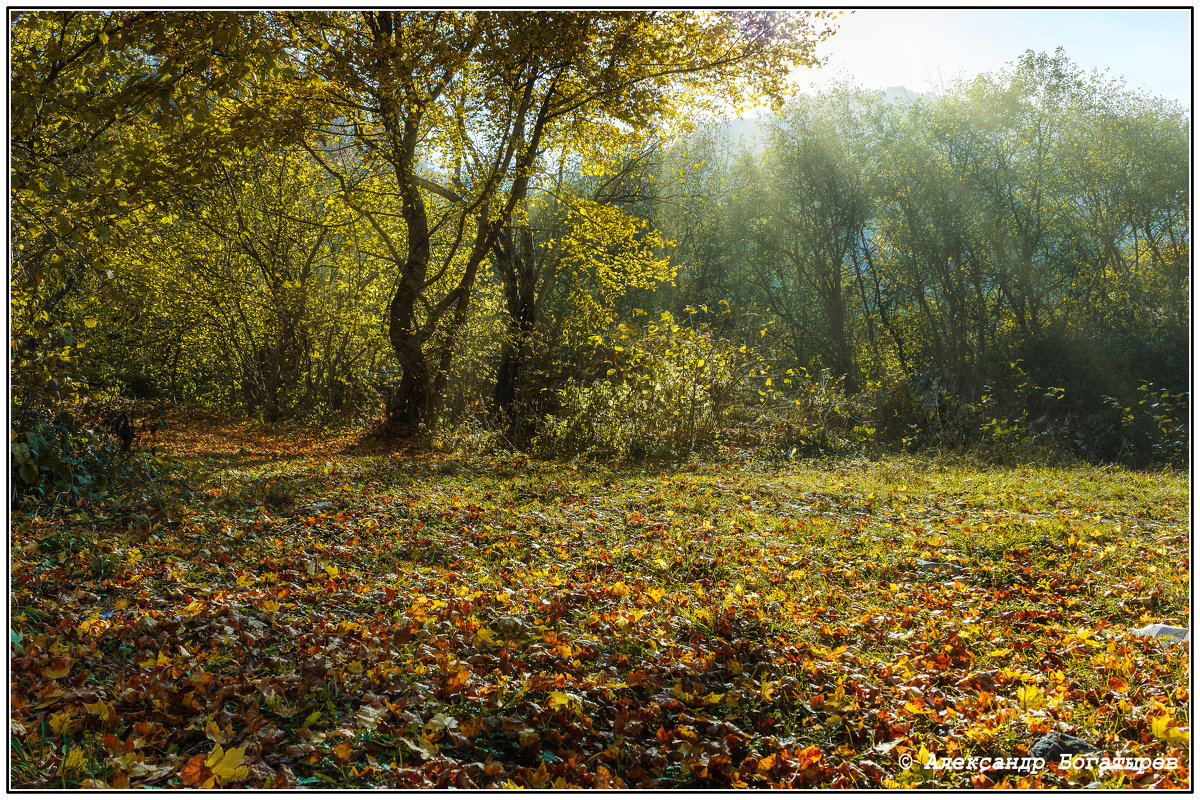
(473, 98)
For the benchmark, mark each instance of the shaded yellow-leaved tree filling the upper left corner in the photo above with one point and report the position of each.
(112, 112)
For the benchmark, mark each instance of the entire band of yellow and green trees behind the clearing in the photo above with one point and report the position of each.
(316, 214)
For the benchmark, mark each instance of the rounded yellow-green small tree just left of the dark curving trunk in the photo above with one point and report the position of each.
(260, 291)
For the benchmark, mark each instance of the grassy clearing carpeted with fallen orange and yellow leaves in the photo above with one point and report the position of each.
(286, 611)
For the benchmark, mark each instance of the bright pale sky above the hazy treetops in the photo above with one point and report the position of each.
(922, 50)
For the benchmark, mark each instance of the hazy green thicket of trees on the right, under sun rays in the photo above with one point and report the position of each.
(1030, 215)
